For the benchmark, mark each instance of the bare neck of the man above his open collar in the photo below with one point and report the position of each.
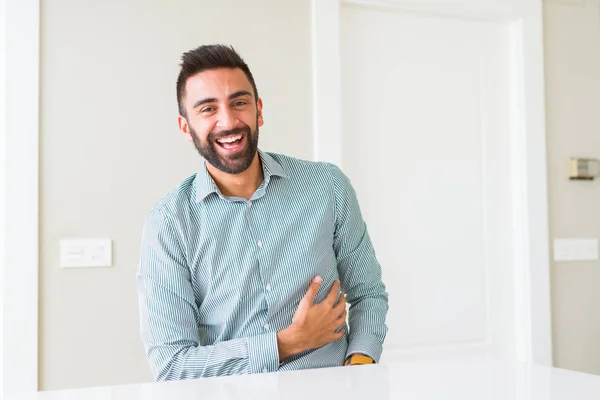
(240, 185)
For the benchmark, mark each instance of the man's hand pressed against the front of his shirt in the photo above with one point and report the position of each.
(313, 325)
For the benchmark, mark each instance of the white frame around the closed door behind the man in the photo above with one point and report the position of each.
(531, 263)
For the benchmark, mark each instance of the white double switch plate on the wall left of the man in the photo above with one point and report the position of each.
(76, 253)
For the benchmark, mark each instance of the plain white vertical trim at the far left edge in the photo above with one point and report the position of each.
(19, 180)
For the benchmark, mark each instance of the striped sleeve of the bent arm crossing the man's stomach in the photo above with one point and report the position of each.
(169, 316)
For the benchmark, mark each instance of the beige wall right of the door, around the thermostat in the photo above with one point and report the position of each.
(572, 43)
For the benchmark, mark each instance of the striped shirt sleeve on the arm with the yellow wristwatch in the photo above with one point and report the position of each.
(360, 272)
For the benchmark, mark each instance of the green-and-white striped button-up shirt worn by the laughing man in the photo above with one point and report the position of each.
(220, 276)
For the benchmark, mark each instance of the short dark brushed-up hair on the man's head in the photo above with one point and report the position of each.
(209, 57)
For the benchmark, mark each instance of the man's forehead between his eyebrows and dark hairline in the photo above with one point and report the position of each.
(216, 83)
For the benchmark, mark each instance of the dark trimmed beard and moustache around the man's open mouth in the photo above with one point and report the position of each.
(234, 163)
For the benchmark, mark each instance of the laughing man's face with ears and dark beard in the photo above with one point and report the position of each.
(222, 118)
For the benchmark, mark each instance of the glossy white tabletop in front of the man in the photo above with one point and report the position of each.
(460, 379)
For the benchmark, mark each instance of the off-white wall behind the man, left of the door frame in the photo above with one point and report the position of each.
(109, 149)
